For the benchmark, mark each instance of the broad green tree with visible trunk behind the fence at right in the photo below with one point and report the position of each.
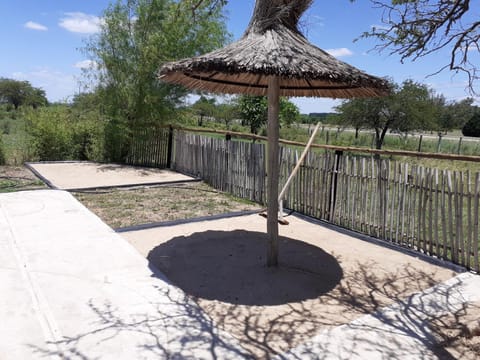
(411, 106)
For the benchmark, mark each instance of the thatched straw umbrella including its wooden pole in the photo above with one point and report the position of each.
(273, 58)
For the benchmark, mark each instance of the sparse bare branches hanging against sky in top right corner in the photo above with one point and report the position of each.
(416, 28)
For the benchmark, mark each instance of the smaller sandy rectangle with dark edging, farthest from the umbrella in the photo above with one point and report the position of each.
(81, 175)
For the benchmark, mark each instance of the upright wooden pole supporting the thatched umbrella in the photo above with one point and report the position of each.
(273, 170)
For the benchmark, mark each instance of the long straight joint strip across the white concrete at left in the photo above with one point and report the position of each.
(45, 317)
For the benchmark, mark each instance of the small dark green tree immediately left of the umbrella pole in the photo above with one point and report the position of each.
(253, 111)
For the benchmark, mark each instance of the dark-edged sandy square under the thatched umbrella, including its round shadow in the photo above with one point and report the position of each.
(325, 278)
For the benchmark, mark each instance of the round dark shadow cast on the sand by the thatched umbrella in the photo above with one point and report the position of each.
(229, 266)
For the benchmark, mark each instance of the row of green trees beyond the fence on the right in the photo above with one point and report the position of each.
(410, 107)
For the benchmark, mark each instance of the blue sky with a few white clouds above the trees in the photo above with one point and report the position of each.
(41, 42)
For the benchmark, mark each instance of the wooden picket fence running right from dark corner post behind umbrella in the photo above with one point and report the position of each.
(431, 211)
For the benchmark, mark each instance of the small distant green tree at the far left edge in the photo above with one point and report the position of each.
(18, 93)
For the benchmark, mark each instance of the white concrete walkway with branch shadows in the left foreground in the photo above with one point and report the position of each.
(70, 287)
